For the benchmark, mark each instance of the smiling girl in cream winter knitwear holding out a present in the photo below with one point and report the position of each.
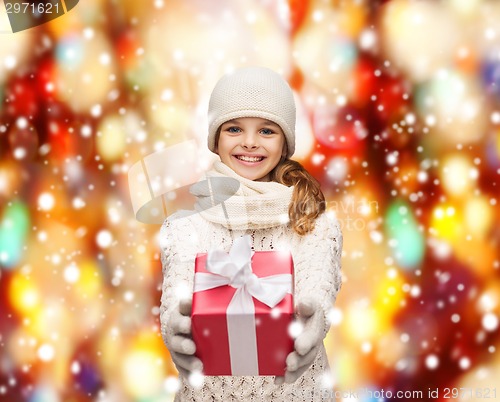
(252, 129)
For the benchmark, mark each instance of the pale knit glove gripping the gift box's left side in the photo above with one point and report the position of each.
(181, 345)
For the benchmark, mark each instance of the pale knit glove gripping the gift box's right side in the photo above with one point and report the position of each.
(307, 344)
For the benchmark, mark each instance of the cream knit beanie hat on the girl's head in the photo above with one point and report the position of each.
(252, 92)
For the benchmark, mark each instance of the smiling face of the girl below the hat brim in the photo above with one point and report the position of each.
(251, 146)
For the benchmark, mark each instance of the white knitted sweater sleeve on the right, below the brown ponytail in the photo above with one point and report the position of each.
(318, 267)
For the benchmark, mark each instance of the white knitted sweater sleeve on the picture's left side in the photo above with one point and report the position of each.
(178, 245)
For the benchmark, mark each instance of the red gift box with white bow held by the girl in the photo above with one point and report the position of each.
(231, 342)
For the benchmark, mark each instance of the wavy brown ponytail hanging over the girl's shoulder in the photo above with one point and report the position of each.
(308, 201)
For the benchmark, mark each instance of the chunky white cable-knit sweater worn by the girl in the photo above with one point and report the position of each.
(316, 257)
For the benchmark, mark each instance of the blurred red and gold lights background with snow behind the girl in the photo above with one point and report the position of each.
(390, 116)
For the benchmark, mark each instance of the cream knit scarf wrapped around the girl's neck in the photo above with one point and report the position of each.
(239, 203)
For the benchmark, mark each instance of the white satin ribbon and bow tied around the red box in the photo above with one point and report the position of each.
(235, 269)
